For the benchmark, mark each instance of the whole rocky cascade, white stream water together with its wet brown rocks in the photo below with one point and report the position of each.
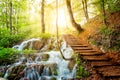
(46, 64)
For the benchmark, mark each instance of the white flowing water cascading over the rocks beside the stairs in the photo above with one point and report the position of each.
(55, 68)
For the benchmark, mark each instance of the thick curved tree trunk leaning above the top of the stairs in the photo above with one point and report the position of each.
(75, 25)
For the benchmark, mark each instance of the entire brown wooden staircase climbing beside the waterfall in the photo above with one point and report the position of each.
(96, 58)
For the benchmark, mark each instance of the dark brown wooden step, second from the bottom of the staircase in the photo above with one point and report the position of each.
(100, 63)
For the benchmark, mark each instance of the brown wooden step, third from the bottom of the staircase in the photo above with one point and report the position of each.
(95, 58)
